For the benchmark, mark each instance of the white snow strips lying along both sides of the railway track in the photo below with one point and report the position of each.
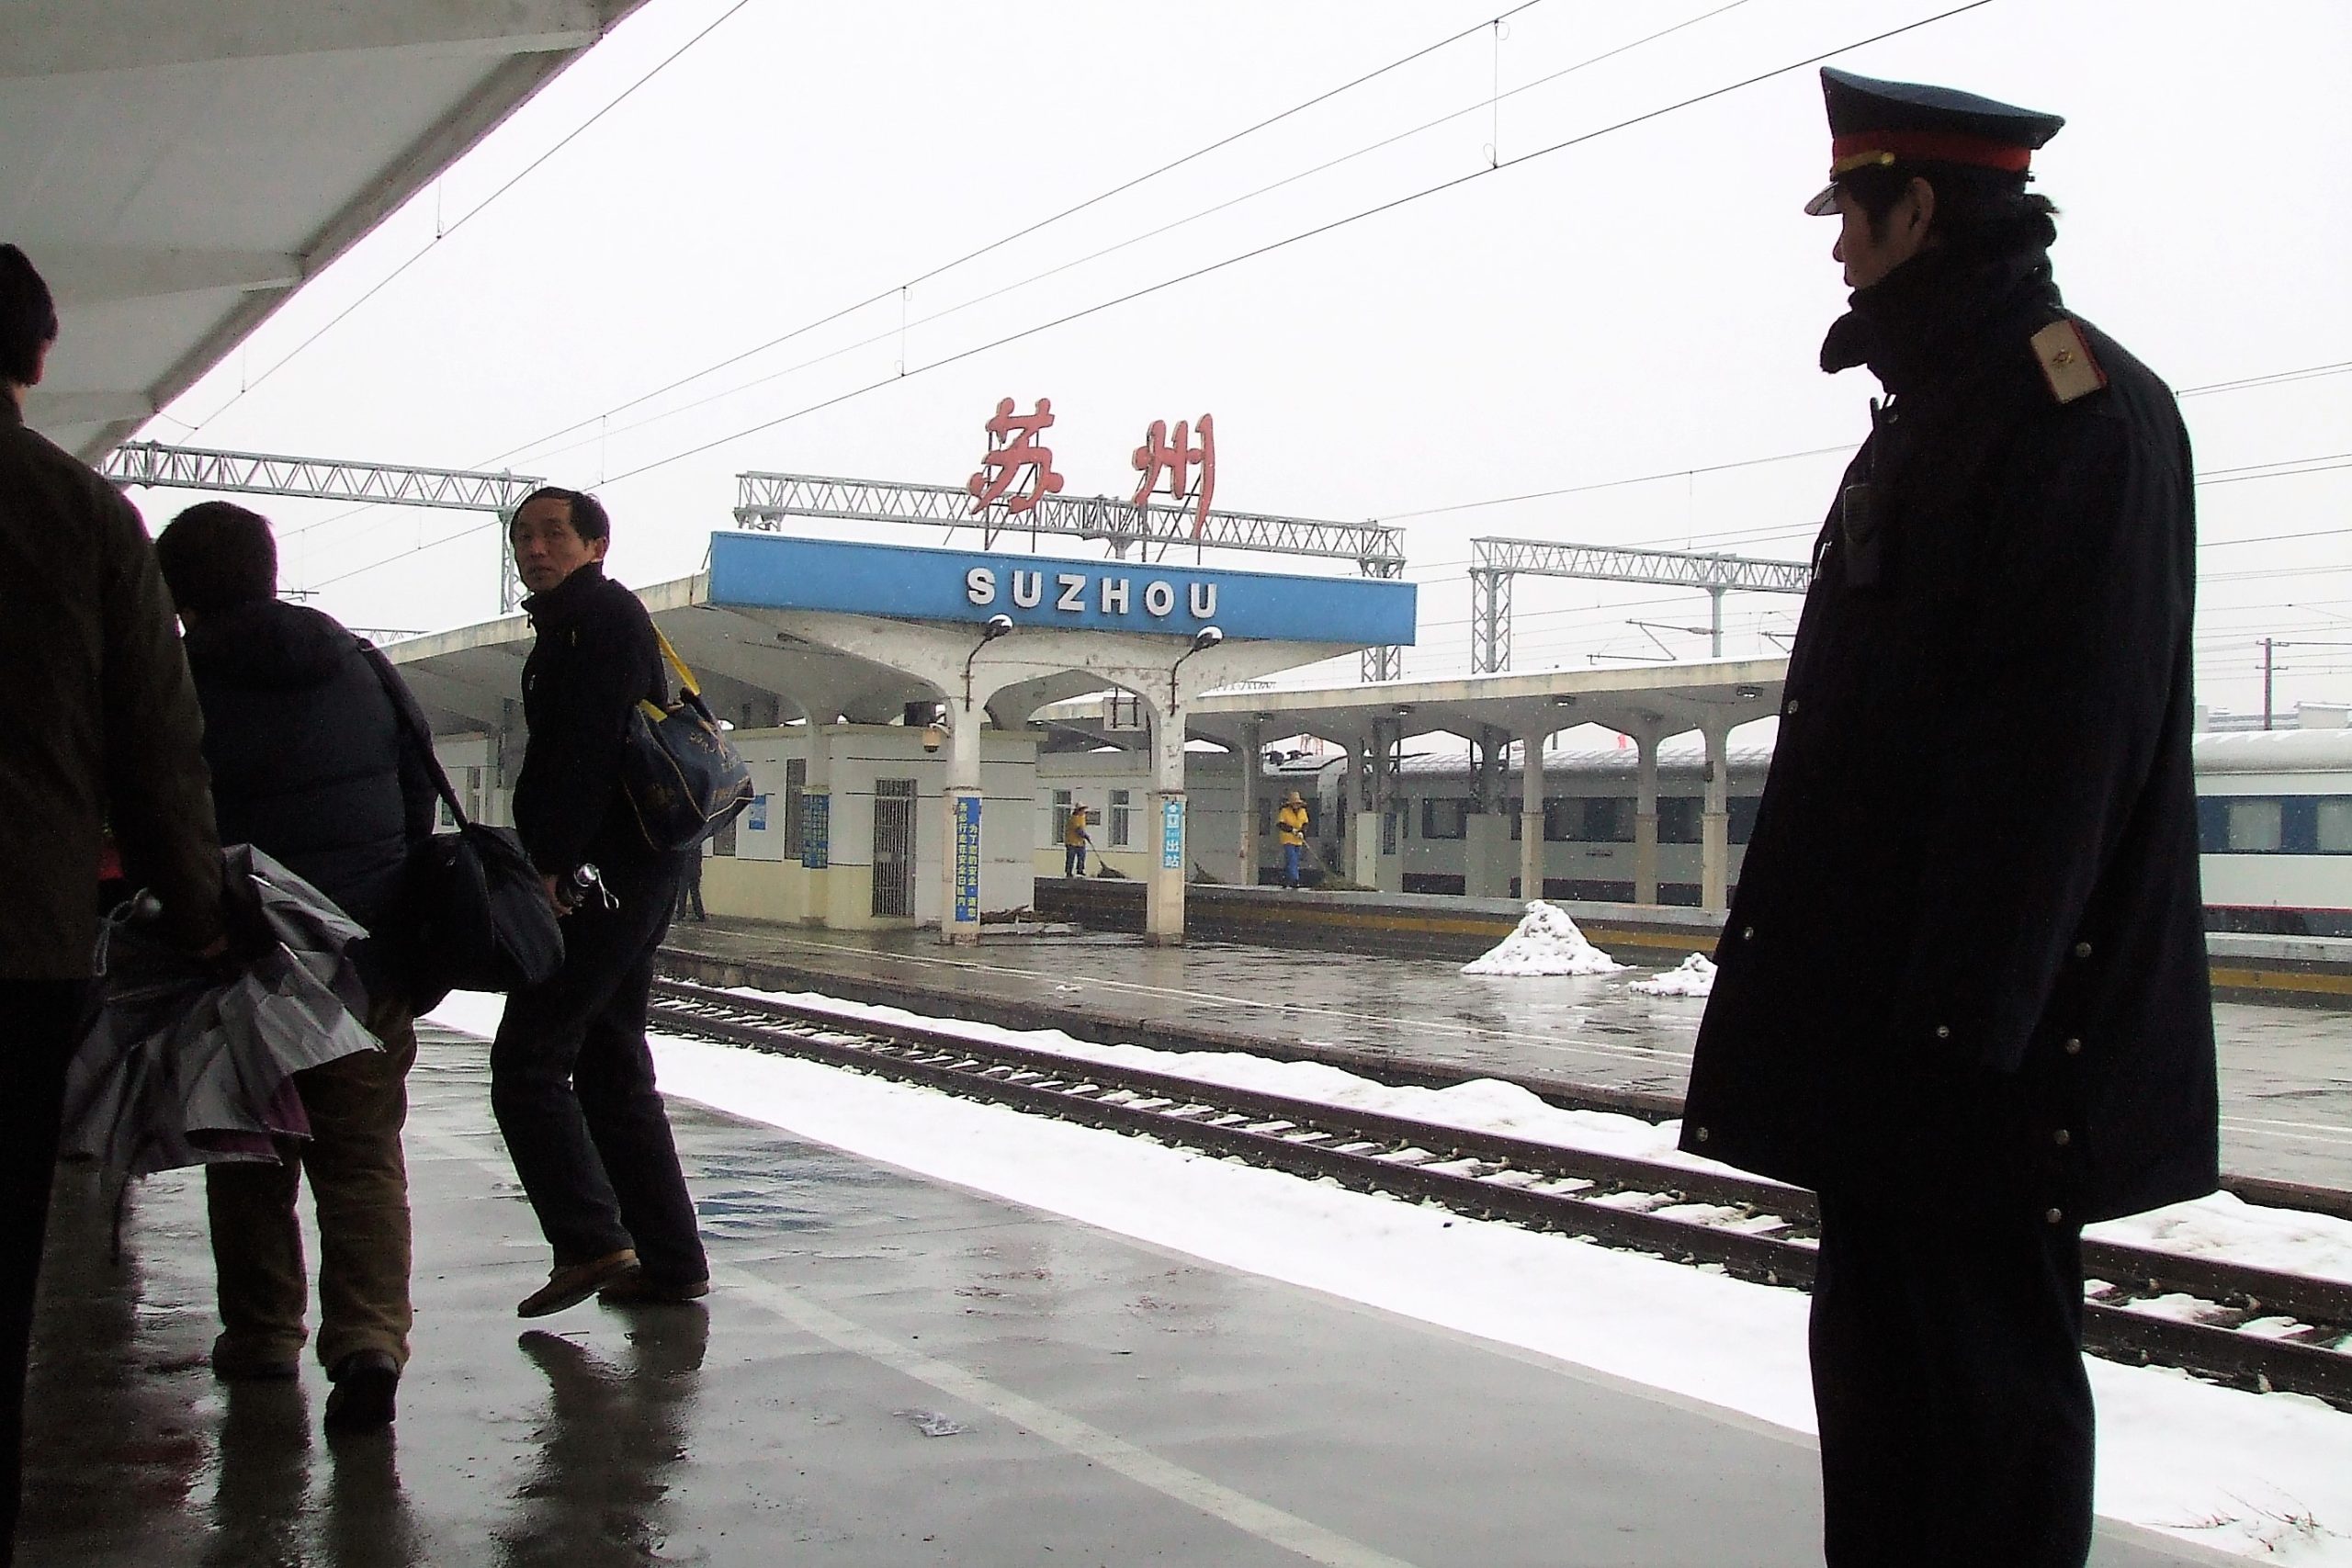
(2259, 1475)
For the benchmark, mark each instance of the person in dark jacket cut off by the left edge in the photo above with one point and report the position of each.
(102, 728)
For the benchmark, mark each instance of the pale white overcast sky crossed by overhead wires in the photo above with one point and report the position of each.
(1648, 302)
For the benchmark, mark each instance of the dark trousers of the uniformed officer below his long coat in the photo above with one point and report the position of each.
(1956, 1412)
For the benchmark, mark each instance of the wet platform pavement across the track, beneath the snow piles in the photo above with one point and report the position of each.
(2285, 1071)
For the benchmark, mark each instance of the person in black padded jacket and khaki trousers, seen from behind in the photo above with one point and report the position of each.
(312, 765)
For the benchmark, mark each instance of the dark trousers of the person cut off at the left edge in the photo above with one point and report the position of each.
(39, 1024)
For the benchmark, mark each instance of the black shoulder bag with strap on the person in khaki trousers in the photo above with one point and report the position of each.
(476, 913)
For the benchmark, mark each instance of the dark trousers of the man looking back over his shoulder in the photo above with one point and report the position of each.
(573, 1087)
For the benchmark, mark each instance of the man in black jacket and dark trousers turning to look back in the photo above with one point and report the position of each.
(570, 1076)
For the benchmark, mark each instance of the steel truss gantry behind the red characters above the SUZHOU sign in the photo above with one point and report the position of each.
(1377, 549)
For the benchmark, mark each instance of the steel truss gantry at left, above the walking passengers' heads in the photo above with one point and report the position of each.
(262, 474)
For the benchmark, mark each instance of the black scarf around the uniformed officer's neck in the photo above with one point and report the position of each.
(1937, 314)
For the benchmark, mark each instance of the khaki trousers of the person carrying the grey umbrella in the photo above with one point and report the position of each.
(361, 1193)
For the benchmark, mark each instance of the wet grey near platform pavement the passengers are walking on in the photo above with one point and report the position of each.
(1116, 1405)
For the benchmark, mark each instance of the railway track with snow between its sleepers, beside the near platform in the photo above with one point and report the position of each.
(2236, 1325)
